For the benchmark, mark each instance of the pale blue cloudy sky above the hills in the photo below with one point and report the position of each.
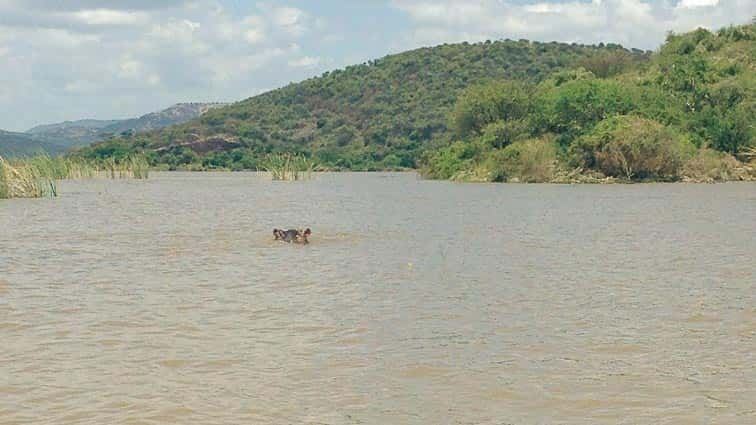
(110, 59)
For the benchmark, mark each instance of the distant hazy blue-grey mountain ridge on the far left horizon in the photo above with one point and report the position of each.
(69, 134)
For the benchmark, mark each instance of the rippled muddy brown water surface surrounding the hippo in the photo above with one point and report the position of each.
(166, 301)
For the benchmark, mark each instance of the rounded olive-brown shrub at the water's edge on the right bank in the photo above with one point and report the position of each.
(634, 148)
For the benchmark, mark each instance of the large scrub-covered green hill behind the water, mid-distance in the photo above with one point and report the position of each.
(379, 115)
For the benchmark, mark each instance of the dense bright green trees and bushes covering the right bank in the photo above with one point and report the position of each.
(698, 92)
